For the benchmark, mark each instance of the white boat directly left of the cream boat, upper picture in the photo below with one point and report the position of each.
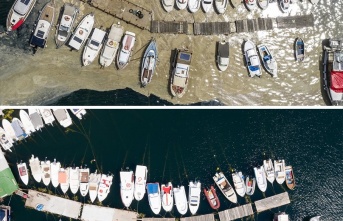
(93, 46)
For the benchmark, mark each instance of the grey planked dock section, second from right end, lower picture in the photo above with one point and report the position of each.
(236, 213)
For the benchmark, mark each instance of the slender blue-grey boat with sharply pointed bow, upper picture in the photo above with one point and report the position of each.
(148, 63)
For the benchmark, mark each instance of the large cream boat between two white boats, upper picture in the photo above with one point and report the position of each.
(110, 49)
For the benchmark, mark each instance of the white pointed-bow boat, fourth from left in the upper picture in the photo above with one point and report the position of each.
(82, 32)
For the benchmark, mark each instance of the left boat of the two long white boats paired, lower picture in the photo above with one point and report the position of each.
(126, 187)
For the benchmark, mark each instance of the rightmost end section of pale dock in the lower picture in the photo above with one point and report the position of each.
(272, 202)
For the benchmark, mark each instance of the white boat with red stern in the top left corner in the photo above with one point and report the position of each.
(18, 13)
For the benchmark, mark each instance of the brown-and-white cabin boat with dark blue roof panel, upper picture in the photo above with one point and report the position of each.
(180, 73)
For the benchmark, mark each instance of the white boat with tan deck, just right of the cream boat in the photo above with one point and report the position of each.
(125, 52)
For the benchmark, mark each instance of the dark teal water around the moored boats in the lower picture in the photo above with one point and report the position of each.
(183, 145)
